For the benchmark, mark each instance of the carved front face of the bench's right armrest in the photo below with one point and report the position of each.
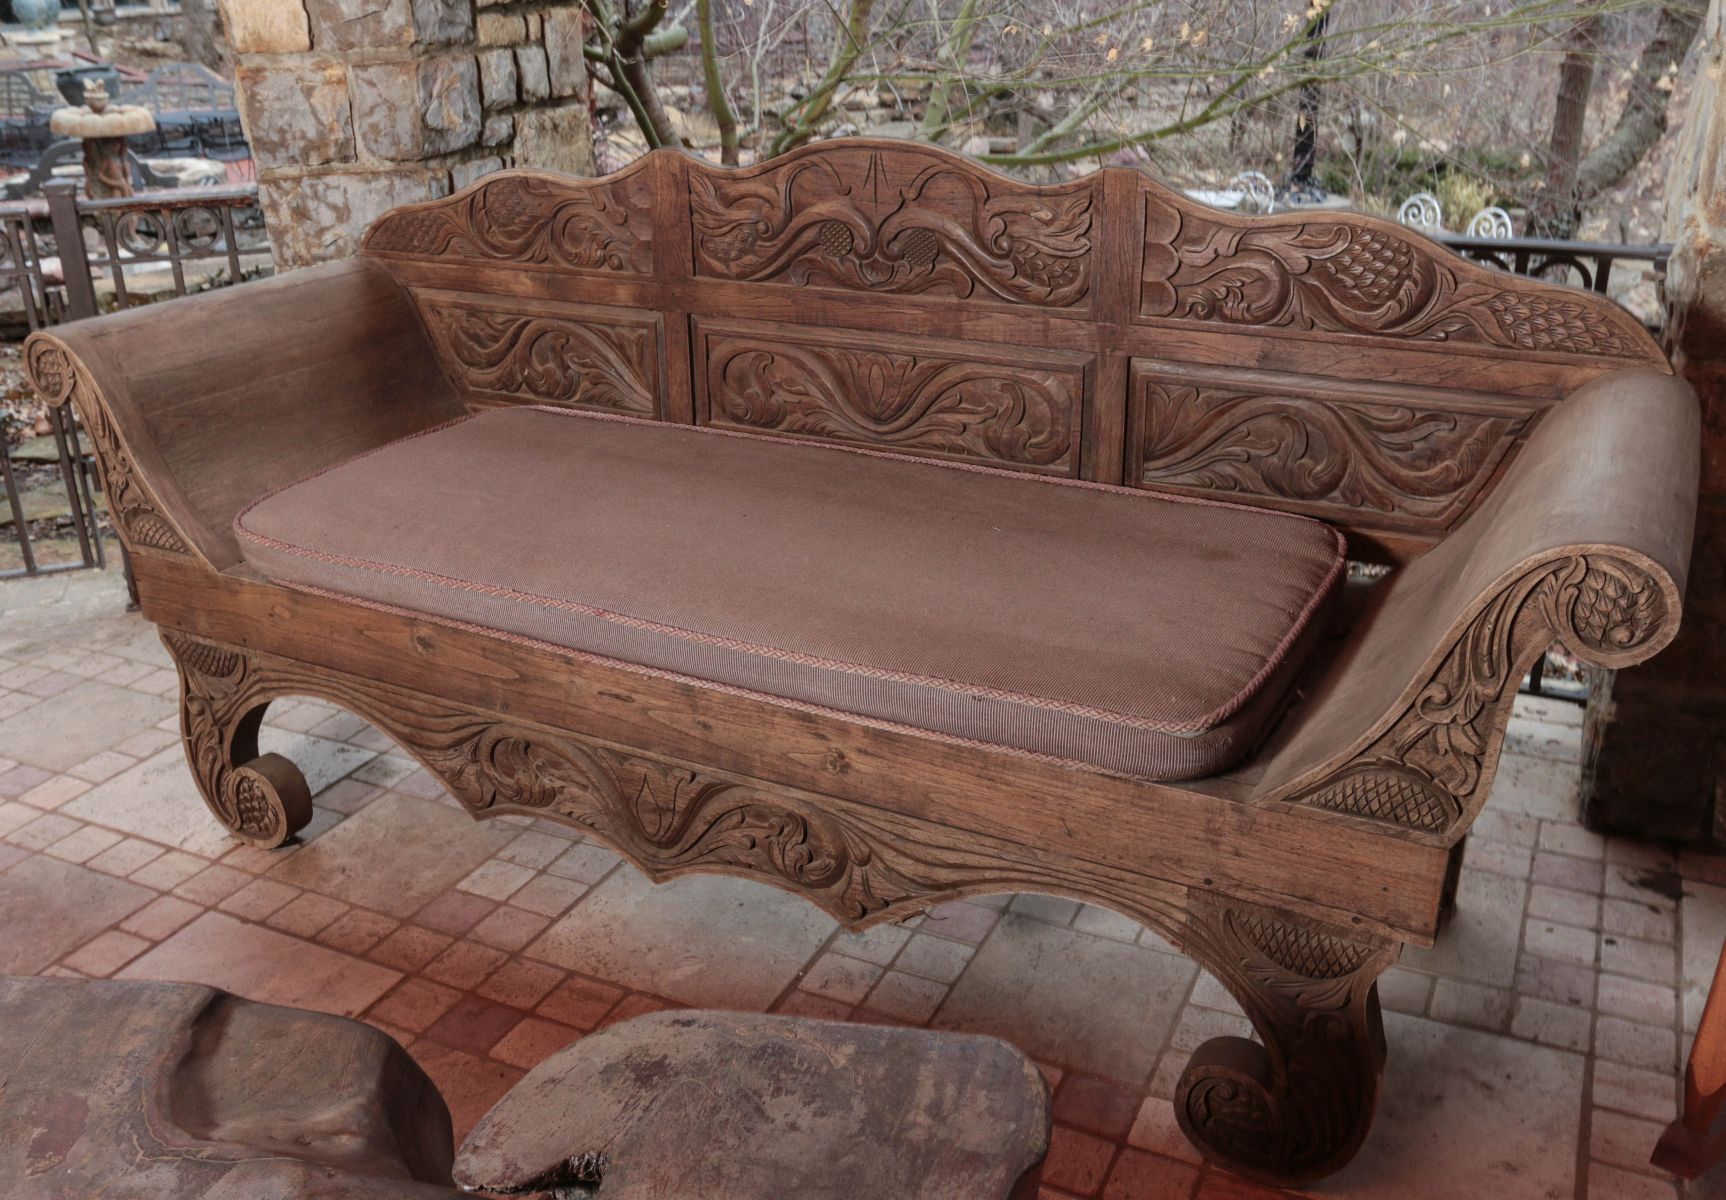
(1430, 769)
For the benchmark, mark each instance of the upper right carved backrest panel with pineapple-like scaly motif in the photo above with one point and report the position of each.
(1351, 275)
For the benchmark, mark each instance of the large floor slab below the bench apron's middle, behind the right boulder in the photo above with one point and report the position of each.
(710, 942)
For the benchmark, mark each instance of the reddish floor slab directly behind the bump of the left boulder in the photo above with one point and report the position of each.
(263, 964)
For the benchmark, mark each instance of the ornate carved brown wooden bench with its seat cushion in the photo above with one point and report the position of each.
(1016, 643)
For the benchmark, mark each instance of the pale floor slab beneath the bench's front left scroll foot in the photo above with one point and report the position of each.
(160, 800)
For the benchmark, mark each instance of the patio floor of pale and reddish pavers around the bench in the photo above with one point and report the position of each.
(1535, 1052)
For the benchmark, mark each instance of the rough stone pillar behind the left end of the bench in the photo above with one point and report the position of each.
(356, 106)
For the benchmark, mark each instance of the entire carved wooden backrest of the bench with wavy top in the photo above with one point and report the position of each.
(904, 298)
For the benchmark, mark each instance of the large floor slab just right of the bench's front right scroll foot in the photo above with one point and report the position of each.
(1468, 1115)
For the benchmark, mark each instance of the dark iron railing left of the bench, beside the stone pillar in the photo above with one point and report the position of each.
(66, 258)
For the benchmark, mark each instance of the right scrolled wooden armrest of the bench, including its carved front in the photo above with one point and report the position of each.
(1585, 543)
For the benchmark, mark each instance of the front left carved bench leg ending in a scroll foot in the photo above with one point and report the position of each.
(261, 799)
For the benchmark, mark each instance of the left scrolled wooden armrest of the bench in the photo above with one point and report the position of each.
(199, 407)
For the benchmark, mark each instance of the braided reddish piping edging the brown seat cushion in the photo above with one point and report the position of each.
(1190, 728)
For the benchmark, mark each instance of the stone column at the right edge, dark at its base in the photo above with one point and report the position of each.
(1654, 750)
